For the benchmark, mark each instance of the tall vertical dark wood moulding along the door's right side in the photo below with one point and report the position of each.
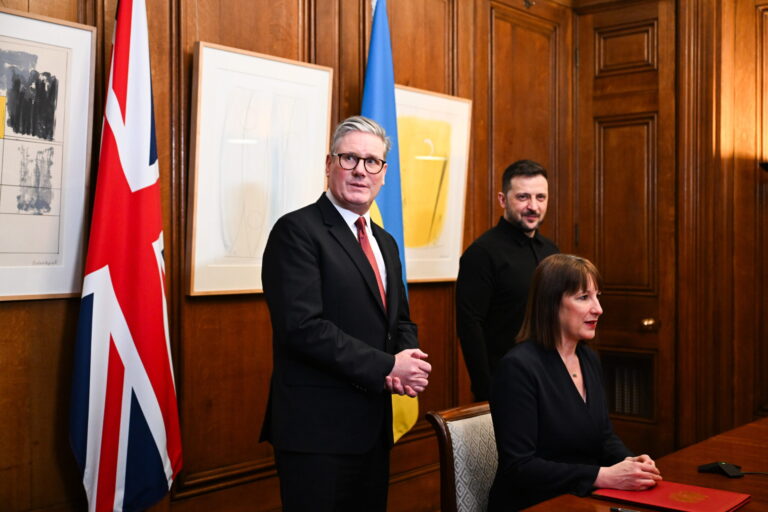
(696, 33)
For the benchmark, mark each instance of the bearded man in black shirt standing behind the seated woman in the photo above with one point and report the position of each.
(495, 273)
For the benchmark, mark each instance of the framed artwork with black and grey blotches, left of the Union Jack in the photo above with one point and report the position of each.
(46, 98)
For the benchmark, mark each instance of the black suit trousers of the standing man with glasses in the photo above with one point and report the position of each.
(334, 482)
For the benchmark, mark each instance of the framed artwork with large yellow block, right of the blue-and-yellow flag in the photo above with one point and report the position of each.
(433, 135)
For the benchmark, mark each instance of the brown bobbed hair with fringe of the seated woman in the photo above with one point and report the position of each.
(556, 275)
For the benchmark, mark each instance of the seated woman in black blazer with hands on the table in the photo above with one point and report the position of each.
(547, 401)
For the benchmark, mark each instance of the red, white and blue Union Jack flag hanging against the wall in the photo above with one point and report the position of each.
(124, 425)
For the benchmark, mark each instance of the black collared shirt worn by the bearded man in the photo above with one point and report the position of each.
(491, 292)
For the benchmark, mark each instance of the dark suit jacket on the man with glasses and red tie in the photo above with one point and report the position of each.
(333, 341)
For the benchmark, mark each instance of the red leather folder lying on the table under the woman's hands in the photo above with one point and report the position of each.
(674, 496)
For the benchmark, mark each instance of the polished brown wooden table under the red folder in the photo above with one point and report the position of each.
(745, 446)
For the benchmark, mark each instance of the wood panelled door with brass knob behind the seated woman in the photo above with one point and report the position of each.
(625, 207)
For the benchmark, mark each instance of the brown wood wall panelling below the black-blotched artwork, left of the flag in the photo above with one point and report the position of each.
(36, 467)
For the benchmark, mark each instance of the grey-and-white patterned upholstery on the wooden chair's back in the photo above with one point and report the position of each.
(474, 461)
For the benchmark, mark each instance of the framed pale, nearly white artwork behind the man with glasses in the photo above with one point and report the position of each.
(260, 136)
